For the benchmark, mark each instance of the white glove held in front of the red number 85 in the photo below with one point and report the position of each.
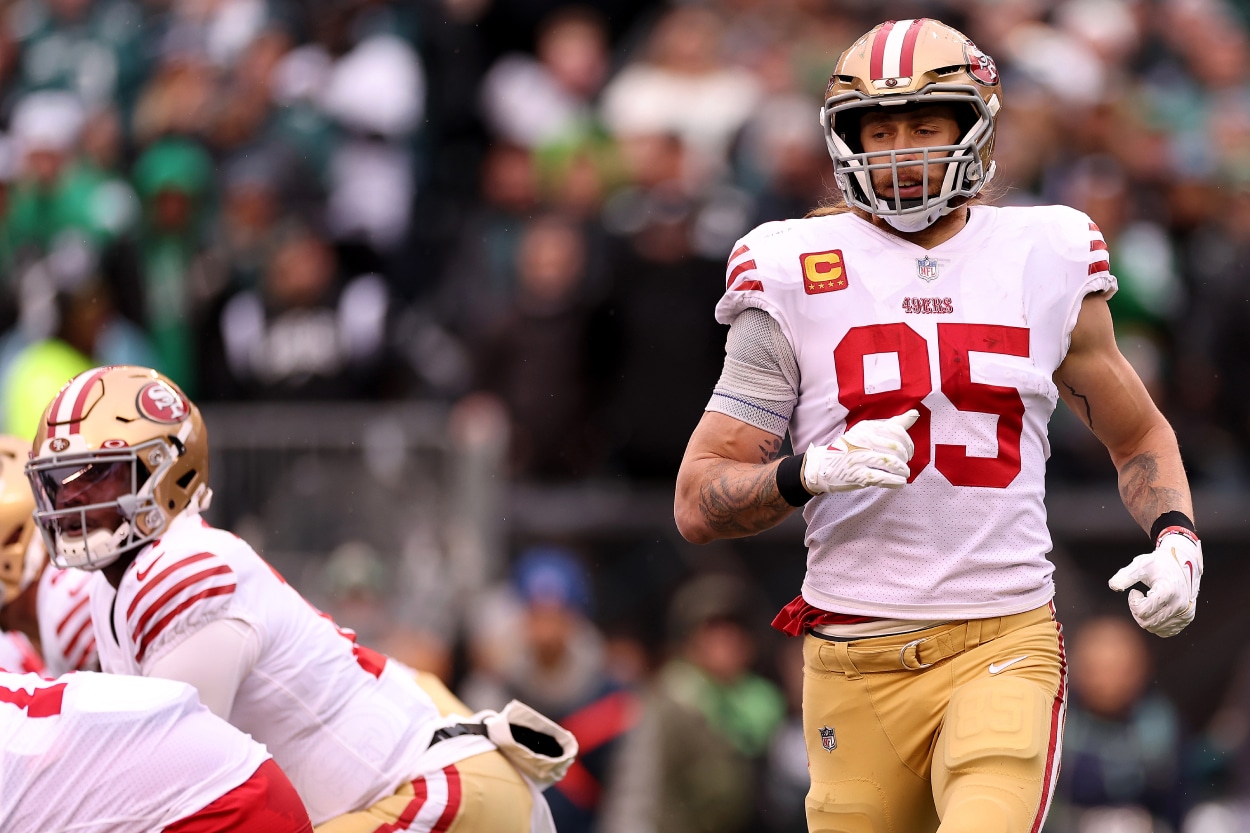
(873, 452)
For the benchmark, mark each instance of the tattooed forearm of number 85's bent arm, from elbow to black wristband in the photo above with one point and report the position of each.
(742, 501)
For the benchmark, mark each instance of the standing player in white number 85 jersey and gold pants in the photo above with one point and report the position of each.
(916, 343)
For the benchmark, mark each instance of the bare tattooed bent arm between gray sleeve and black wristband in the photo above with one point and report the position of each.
(727, 486)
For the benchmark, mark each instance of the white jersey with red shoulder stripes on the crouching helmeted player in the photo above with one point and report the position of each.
(346, 726)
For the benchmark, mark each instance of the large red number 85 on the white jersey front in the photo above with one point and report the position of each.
(954, 343)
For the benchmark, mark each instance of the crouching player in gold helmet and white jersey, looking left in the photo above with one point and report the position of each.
(121, 473)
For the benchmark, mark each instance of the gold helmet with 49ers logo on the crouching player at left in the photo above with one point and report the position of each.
(119, 453)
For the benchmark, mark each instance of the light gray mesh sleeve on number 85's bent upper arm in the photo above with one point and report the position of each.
(759, 385)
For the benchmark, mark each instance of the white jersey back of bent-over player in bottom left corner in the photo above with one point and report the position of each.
(96, 754)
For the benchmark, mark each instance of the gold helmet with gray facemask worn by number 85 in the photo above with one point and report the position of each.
(911, 63)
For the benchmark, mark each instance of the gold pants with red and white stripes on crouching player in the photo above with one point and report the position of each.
(479, 795)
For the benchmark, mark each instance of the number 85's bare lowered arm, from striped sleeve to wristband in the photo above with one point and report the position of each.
(1104, 391)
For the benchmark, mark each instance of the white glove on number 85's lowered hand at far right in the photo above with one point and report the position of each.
(1173, 573)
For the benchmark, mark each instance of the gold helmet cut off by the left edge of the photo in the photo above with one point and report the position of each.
(22, 555)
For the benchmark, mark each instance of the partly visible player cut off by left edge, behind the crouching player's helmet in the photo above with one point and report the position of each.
(43, 611)
